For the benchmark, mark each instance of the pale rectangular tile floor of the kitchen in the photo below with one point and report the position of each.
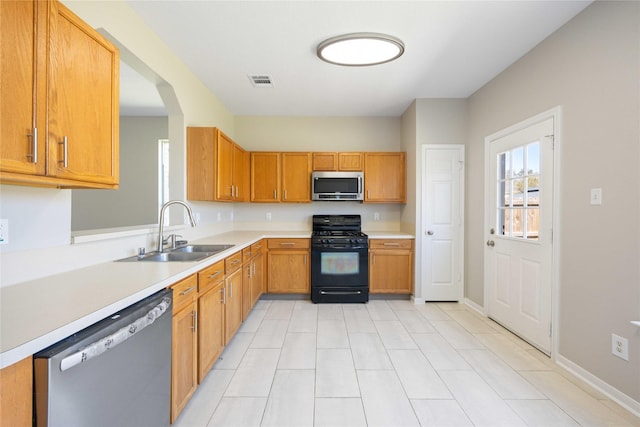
(388, 363)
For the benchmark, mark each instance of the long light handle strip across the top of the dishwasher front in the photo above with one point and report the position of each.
(110, 341)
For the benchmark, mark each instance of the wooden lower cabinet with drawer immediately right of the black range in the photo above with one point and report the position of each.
(391, 266)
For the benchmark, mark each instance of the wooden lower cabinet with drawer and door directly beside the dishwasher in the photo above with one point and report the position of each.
(184, 345)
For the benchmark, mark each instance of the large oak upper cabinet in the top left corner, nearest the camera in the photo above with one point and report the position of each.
(59, 110)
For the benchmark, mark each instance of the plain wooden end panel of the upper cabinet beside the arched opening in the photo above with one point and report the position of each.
(200, 163)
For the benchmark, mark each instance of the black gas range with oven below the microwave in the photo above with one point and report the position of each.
(339, 259)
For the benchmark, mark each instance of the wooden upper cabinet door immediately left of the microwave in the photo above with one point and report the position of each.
(296, 177)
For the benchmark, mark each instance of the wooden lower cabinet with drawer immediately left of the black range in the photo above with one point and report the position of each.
(288, 266)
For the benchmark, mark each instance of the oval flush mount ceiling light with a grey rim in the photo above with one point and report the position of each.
(360, 49)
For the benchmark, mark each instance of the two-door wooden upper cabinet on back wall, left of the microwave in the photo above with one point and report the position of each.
(281, 177)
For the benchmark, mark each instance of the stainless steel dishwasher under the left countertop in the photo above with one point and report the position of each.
(116, 372)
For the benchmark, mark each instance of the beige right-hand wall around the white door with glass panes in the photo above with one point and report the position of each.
(591, 68)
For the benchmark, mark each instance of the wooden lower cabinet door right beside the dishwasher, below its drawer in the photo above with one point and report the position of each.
(184, 358)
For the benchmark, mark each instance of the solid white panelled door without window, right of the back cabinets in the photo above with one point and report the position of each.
(442, 220)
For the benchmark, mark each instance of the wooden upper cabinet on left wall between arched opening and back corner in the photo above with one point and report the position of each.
(216, 166)
